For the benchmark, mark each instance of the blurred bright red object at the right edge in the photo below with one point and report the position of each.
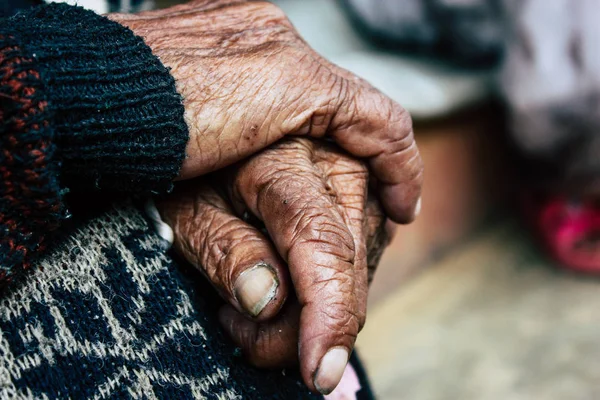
(569, 230)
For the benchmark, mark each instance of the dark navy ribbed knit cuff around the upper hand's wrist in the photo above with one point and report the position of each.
(118, 118)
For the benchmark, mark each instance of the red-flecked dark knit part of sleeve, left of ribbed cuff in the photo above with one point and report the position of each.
(30, 194)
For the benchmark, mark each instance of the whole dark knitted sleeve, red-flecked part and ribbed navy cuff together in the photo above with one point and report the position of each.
(84, 104)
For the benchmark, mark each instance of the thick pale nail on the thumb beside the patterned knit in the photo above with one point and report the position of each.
(255, 287)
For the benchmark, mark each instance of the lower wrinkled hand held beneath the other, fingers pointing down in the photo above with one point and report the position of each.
(312, 200)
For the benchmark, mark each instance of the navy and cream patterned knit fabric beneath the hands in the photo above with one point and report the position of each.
(108, 315)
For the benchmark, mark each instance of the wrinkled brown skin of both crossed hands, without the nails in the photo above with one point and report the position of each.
(249, 81)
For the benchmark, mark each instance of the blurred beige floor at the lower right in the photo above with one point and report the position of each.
(491, 320)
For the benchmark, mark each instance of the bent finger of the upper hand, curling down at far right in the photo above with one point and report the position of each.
(370, 125)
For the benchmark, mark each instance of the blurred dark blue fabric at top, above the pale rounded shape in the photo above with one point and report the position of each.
(467, 34)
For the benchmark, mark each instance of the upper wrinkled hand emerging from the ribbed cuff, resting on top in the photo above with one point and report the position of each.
(248, 80)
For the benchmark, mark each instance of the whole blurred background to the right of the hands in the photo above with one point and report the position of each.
(483, 296)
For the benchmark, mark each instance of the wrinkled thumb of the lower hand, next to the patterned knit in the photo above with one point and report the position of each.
(238, 260)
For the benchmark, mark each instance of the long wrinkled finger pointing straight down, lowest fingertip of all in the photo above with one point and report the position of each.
(311, 235)
